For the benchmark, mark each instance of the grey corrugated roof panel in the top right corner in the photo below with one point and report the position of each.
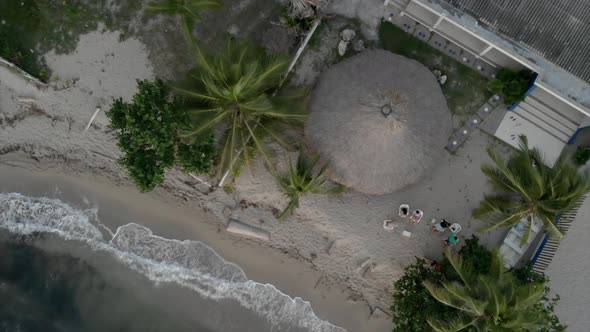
(559, 30)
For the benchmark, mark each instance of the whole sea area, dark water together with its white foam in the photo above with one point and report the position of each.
(62, 270)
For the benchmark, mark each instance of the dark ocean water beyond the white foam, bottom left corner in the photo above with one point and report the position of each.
(51, 292)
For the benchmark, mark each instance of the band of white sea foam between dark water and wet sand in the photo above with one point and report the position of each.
(191, 264)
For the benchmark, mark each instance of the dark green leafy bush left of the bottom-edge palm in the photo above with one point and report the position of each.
(412, 303)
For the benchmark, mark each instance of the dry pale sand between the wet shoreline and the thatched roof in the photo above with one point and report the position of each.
(338, 238)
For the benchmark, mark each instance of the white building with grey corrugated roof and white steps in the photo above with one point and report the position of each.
(551, 38)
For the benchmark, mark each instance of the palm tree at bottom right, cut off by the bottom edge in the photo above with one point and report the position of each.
(492, 302)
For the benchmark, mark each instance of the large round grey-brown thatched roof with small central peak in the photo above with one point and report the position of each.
(380, 120)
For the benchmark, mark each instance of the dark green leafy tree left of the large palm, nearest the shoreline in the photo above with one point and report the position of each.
(147, 129)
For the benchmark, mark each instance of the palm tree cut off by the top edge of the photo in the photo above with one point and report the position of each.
(188, 10)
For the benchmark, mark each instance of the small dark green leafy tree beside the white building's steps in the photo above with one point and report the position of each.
(513, 85)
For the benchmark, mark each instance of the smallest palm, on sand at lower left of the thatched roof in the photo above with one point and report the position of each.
(300, 180)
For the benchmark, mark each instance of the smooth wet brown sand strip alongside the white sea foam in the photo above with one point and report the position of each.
(168, 217)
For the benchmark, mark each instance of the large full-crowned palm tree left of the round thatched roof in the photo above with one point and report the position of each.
(234, 92)
